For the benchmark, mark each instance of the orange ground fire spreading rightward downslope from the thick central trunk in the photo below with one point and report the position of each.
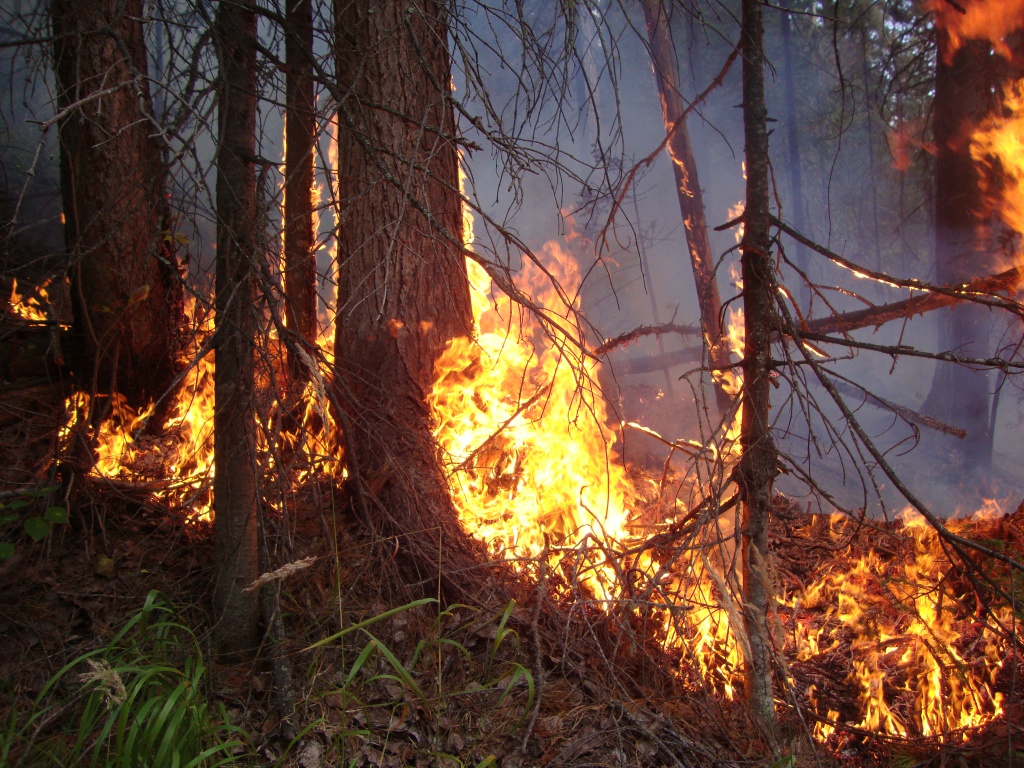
(521, 426)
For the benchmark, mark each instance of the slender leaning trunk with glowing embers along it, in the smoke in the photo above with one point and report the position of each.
(688, 189)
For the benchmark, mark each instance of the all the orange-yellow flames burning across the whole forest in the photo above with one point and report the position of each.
(879, 634)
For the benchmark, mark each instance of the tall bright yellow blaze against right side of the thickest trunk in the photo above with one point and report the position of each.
(523, 429)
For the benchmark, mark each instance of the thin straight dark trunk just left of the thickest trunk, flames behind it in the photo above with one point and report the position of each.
(301, 259)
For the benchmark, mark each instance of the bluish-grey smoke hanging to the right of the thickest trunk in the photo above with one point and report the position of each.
(867, 195)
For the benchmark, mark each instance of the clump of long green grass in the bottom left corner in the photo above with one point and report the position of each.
(138, 702)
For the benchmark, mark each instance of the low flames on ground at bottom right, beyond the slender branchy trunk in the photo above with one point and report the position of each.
(907, 642)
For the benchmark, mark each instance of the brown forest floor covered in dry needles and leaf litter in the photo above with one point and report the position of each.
(380, 677)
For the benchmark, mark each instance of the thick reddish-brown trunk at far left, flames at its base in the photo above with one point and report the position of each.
(125, 288)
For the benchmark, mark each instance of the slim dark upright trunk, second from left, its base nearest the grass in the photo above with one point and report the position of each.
(235, 484)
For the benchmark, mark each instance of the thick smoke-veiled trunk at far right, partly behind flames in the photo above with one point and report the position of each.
(967, 89)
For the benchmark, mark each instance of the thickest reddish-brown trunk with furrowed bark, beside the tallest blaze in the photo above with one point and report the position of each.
(403, 287)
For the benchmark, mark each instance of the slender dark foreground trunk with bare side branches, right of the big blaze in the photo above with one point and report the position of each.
(756, 472)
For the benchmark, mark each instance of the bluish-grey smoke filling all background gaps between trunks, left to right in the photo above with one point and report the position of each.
(867, 194)
